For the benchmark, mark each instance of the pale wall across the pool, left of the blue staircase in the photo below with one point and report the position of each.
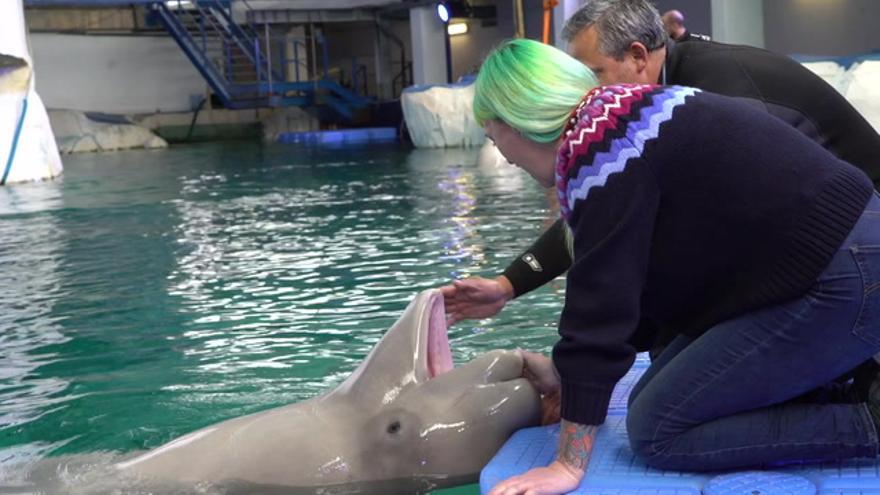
(114, 74)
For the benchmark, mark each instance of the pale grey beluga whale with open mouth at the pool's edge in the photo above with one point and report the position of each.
(405, 421)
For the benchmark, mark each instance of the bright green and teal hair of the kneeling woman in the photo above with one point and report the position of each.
(532, 87)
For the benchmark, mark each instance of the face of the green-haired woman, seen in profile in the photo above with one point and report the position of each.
(535, 158)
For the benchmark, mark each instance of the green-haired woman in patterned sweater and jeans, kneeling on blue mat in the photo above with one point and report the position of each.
(692, 214)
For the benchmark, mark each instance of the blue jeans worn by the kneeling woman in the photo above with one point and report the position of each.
(725, 399)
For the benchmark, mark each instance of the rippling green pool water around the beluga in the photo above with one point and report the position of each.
(150, 293)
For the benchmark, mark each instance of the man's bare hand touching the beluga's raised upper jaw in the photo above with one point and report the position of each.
(475, 297)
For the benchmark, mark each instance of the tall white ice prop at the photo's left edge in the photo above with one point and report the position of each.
(27, 146)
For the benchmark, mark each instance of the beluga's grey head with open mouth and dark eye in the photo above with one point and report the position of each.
(417, 414)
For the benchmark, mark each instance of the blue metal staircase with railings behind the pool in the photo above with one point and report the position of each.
(245, 67)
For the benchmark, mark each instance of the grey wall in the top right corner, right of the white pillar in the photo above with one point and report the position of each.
(822, 27)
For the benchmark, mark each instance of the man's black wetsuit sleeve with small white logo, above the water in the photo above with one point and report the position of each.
(545, 260)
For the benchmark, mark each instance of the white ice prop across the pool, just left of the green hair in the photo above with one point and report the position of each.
(441, 116)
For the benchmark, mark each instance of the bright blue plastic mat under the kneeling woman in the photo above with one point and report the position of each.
(614, 470)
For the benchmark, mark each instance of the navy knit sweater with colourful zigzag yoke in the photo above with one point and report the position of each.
(687, 209)
